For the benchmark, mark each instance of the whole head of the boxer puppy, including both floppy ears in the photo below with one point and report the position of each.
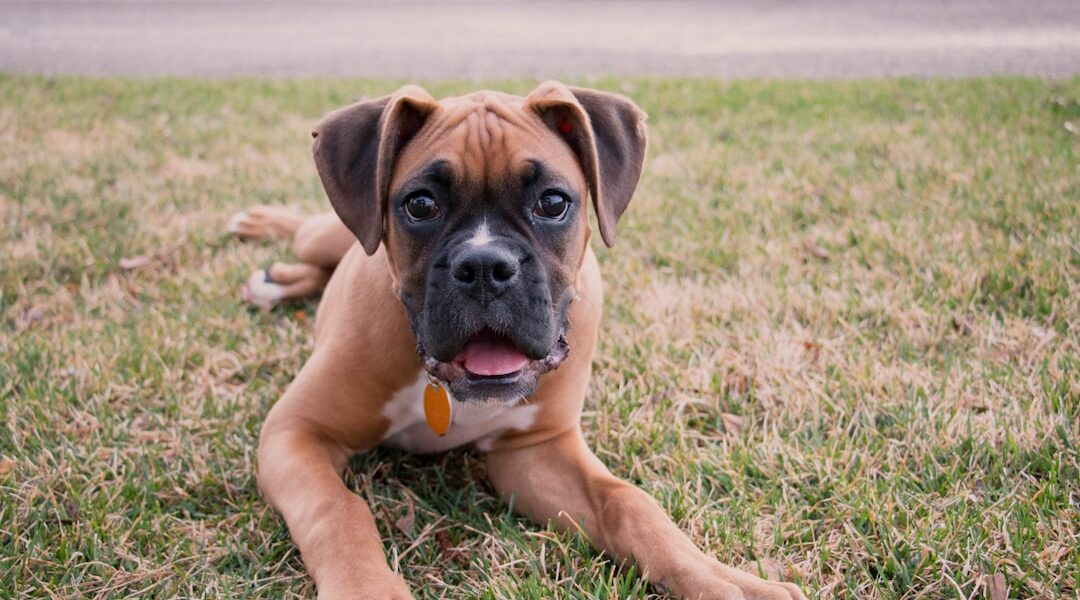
(481, 203)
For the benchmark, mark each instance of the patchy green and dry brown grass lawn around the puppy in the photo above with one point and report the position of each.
(843, 339)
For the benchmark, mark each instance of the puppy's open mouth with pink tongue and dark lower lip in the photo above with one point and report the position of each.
(489, 360)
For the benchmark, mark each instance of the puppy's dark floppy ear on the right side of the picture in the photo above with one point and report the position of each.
(607, 133)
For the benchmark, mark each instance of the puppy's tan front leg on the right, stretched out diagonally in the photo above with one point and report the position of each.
(562, 481)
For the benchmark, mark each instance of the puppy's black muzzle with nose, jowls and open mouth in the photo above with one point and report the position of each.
(491, 306)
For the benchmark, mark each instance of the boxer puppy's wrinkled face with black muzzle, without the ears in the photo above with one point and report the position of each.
(485, 236)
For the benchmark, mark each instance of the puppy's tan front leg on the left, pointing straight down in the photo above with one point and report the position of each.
(301, 462)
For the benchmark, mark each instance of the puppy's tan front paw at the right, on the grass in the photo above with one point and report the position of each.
(713, 581)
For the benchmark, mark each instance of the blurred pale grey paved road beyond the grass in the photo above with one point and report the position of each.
(499, 38)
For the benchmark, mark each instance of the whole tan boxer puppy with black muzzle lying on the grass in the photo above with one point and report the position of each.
(467, 315)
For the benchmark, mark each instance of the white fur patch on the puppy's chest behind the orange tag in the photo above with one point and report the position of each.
(472, 424)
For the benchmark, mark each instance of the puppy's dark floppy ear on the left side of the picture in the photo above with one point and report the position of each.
(356, 149)
